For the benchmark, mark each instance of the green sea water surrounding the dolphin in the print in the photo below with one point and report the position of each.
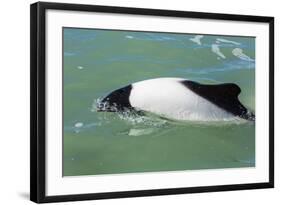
(99, 61)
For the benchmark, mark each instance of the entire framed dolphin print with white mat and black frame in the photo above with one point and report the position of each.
(129, 102)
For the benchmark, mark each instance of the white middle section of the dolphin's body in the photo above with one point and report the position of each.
(168, 97)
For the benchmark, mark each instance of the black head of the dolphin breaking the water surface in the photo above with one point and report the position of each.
(117, 100)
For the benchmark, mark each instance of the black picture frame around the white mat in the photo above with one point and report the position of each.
(38, 101)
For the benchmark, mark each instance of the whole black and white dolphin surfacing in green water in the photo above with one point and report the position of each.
(179, 99)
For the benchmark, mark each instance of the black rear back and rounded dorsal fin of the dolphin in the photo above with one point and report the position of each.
(223, 95)
